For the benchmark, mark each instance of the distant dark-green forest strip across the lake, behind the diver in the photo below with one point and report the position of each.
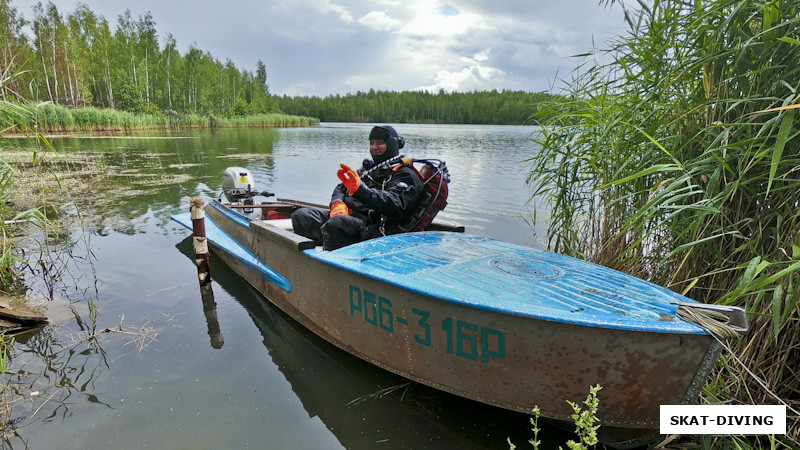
(485, 107)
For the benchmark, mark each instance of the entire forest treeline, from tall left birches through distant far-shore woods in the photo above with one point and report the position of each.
(79, 60)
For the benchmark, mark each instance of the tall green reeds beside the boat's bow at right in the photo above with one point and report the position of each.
(675, 156)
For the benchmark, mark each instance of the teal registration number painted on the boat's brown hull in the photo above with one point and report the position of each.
(459, 337)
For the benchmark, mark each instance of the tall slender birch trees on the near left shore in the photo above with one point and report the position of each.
(79, 60)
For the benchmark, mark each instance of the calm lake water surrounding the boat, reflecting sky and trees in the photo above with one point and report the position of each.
(176, 370)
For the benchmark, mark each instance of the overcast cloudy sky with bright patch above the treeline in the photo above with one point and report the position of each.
(323, 47)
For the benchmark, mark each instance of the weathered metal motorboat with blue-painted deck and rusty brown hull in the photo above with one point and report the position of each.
(503, 324)
